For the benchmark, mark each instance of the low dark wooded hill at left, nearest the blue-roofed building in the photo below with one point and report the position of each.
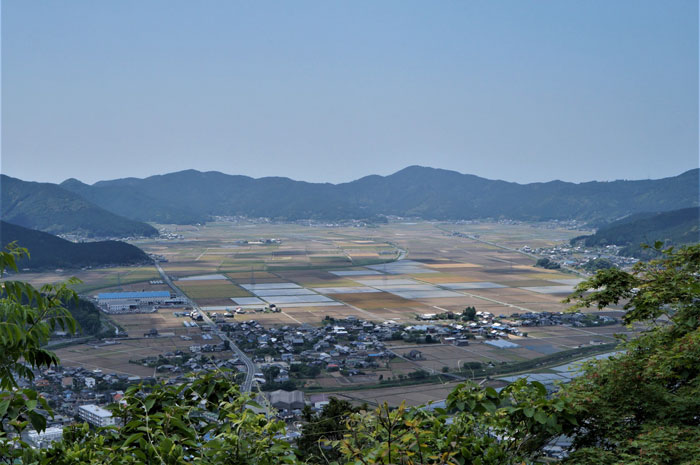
(50, 252)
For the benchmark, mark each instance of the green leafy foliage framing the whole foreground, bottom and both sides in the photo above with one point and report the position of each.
(641, 407)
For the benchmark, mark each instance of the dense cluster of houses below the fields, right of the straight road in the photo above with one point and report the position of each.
(349, 345)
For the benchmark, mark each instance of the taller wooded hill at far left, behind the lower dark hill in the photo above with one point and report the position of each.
(50, 208)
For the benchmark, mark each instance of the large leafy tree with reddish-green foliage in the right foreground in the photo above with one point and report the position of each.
(643, 405)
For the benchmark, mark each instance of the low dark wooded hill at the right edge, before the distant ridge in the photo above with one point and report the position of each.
(677, 227)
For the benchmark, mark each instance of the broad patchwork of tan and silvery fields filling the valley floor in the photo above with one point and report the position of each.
(352, 271)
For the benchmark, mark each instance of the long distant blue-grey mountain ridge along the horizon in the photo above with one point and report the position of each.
(192, 196)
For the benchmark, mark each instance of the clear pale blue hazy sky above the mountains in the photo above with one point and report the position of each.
(332, 91)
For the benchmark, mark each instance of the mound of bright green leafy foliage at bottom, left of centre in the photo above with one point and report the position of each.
(206, 421)
